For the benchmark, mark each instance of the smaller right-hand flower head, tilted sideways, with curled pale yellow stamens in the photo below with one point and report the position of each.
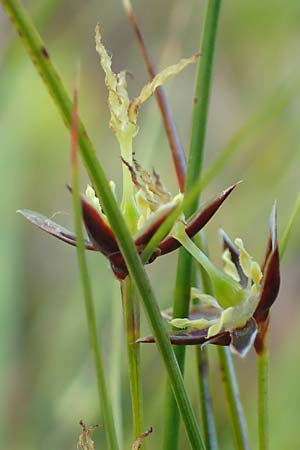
(238, 313)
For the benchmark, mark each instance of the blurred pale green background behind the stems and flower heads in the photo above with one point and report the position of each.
(47, 376)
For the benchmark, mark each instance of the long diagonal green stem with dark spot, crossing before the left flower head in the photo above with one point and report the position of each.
(36, 50)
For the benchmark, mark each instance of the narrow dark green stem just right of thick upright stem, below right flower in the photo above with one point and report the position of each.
(205, 399)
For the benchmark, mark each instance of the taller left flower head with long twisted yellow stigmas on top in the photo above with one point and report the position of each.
(145, 203)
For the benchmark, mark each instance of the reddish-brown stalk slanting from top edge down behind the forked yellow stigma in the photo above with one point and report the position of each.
(166, 113)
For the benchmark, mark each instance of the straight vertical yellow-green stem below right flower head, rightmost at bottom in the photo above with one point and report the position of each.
(263, 361)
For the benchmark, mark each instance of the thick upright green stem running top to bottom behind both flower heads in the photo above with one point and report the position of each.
(195, 160)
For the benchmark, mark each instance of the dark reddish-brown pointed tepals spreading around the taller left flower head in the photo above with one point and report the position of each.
(101, 237)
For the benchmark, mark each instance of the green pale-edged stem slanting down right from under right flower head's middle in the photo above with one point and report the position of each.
(233, 398)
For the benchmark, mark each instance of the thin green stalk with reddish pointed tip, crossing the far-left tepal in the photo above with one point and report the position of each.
(104, 401)
